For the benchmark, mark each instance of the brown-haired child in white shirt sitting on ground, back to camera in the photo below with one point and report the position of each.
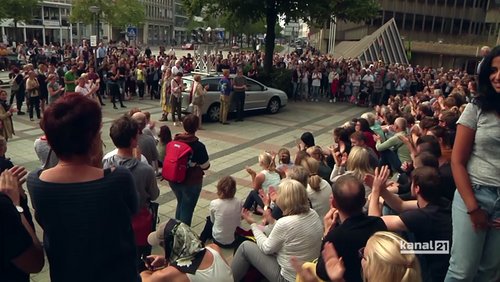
(225, 215)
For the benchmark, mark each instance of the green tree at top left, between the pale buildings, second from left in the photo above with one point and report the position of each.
(119, 13)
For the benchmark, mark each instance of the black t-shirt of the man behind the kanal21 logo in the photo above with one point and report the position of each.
(432, 222)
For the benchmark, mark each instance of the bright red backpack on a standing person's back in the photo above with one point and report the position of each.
(176, 161)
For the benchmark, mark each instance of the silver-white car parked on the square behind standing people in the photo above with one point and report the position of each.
(258, 97)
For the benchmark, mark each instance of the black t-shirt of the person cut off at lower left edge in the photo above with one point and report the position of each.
(14, 240)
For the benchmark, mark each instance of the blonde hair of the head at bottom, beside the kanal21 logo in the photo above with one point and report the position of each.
(384, 261)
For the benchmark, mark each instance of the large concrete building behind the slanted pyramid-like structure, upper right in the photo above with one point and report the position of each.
(447, 33)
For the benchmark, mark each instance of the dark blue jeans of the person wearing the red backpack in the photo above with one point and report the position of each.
(187, 197)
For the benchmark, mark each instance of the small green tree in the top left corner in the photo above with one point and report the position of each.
(18, 11)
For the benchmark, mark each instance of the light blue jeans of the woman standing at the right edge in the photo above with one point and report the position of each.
(475, 256)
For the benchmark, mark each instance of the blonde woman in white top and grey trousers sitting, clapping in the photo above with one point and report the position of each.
(297, 233)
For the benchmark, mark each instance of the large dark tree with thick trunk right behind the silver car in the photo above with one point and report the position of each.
(313, 12)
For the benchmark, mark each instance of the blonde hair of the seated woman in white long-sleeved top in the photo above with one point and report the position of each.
(292, 197)
